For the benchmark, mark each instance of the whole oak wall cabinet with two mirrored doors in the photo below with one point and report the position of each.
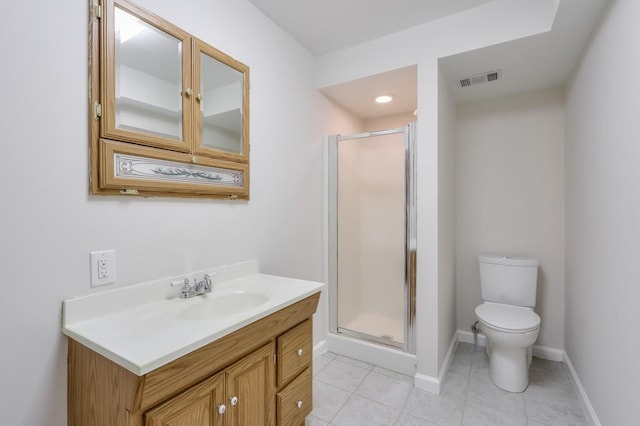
(169, 114)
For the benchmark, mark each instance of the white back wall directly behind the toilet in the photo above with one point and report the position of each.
(510, 198)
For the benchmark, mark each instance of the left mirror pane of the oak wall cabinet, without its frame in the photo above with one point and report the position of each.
(148, 78)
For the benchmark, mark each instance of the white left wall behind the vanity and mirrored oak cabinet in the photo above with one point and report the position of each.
(50, 223)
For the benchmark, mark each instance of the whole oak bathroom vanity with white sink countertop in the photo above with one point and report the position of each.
(253, 367)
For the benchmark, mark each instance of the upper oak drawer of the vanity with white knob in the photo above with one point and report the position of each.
(294, 351)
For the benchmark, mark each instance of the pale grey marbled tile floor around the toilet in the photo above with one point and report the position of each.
(348, 392)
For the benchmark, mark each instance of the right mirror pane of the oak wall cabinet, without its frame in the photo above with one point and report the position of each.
(220, 106)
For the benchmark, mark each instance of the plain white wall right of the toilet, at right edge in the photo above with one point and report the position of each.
(603, 217)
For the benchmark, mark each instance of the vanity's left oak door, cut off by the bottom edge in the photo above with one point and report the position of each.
(198, 405)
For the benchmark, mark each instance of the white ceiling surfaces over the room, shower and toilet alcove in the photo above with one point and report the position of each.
(531, 63)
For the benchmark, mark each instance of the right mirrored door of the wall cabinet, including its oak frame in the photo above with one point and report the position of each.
(221, 125)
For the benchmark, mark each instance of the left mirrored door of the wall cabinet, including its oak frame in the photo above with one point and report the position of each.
(149, 90)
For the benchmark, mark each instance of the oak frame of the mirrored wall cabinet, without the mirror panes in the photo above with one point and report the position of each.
(153, 165)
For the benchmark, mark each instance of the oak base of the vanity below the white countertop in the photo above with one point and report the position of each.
(258, 375)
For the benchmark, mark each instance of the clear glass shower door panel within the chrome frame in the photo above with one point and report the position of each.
(371, 216)
